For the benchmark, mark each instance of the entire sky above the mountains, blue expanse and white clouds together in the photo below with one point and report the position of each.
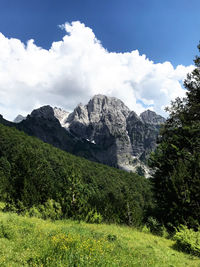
(63, 52)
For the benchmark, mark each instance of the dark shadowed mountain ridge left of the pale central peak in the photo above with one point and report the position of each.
(43, 123)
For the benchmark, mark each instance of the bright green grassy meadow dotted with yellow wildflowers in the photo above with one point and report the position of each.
(34, 242)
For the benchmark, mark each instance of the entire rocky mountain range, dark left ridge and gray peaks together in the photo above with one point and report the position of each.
(105, 130)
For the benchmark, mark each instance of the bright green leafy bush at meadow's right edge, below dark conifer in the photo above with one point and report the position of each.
(188, 240)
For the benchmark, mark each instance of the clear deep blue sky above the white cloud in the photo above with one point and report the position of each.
(163, 30)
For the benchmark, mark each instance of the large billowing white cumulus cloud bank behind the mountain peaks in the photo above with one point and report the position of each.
(78, 67)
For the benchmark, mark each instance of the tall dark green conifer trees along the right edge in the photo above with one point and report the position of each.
(177, 159)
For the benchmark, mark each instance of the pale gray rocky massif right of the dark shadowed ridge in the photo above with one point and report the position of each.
(125, 138)
